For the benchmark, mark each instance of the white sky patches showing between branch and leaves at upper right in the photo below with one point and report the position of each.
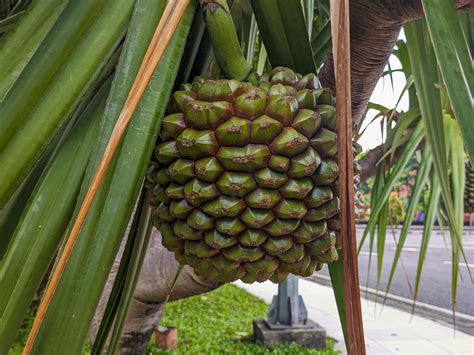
(387, 96)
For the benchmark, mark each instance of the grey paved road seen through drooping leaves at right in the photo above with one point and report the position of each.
(435, 285)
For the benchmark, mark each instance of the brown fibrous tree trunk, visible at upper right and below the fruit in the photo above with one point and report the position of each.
(375, 27)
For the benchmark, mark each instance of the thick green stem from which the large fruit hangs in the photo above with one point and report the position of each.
(224, 39)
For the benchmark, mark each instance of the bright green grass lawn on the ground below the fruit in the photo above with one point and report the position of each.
(220, 322)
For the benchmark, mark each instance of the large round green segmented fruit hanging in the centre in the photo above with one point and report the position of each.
(244, 178)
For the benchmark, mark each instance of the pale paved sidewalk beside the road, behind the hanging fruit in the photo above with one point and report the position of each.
(389, 332)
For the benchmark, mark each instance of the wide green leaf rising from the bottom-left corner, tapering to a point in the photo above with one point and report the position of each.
(49, 209)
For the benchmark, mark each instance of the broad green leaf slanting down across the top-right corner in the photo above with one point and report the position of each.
(455, 63)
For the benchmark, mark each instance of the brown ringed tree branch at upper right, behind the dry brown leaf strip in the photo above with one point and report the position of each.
(375, 26)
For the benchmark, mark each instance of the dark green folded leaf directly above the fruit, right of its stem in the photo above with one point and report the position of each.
(282, 27)
